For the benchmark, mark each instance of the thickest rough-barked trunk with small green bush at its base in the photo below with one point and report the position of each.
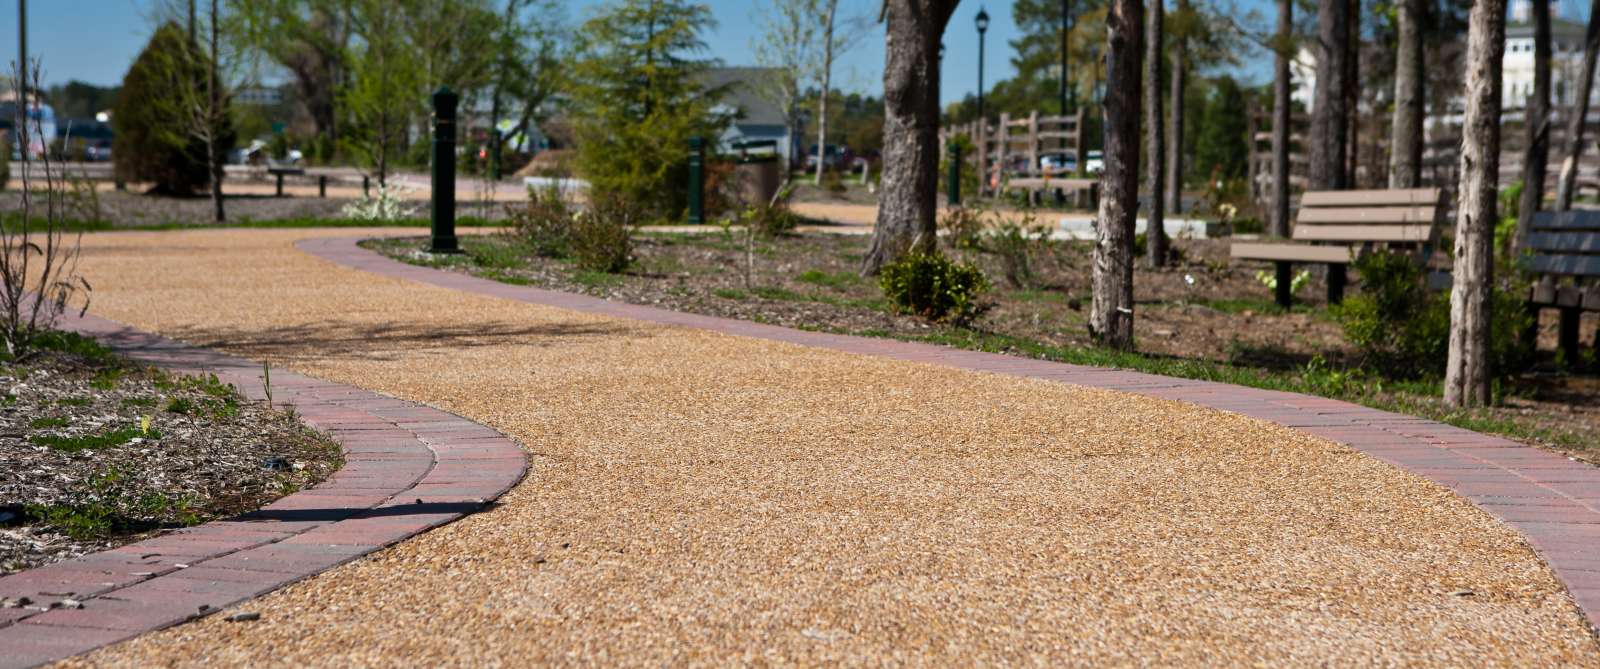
(911, 132)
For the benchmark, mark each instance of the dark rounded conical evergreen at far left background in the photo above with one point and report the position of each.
(154, 119)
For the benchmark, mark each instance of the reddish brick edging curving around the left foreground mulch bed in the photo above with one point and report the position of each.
(407, 470)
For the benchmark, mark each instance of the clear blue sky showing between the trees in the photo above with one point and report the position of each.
(95, 41)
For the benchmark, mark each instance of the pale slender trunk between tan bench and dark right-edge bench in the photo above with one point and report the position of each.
(1468, 371)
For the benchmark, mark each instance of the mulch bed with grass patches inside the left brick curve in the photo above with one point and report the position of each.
(102, 452)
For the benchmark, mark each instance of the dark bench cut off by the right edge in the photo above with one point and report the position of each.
(1566, 258)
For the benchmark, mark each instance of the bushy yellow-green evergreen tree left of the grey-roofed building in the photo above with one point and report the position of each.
(641, 97)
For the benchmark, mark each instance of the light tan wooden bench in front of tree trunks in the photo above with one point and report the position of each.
(1335, 226)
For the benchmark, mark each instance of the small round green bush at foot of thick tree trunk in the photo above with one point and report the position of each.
(934, 287)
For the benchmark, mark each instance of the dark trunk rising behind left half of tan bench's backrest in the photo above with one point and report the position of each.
(1329, 108)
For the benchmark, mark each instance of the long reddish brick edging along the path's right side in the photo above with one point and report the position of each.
(1551, 500)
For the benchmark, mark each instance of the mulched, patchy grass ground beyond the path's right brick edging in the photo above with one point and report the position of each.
(1201, 310)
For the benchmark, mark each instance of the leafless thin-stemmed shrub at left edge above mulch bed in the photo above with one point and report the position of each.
(38, 257)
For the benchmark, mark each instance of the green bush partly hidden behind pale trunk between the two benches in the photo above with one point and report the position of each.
(1404, 329)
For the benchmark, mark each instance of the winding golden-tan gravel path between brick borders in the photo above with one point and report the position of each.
(697, 499)
